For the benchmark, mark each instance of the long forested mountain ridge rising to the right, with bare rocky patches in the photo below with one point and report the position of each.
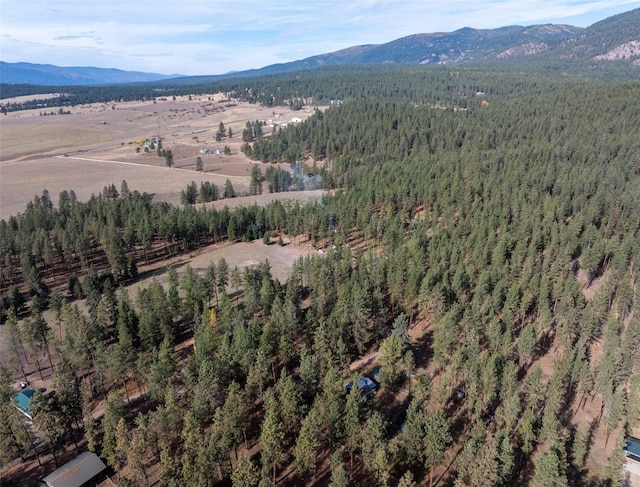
(605, 50)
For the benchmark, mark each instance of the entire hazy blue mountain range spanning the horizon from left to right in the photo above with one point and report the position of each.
(609, 46)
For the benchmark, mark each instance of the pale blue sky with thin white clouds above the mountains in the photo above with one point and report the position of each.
(213, 36)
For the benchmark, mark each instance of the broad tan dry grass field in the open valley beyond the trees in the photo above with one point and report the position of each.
(95, 146)
